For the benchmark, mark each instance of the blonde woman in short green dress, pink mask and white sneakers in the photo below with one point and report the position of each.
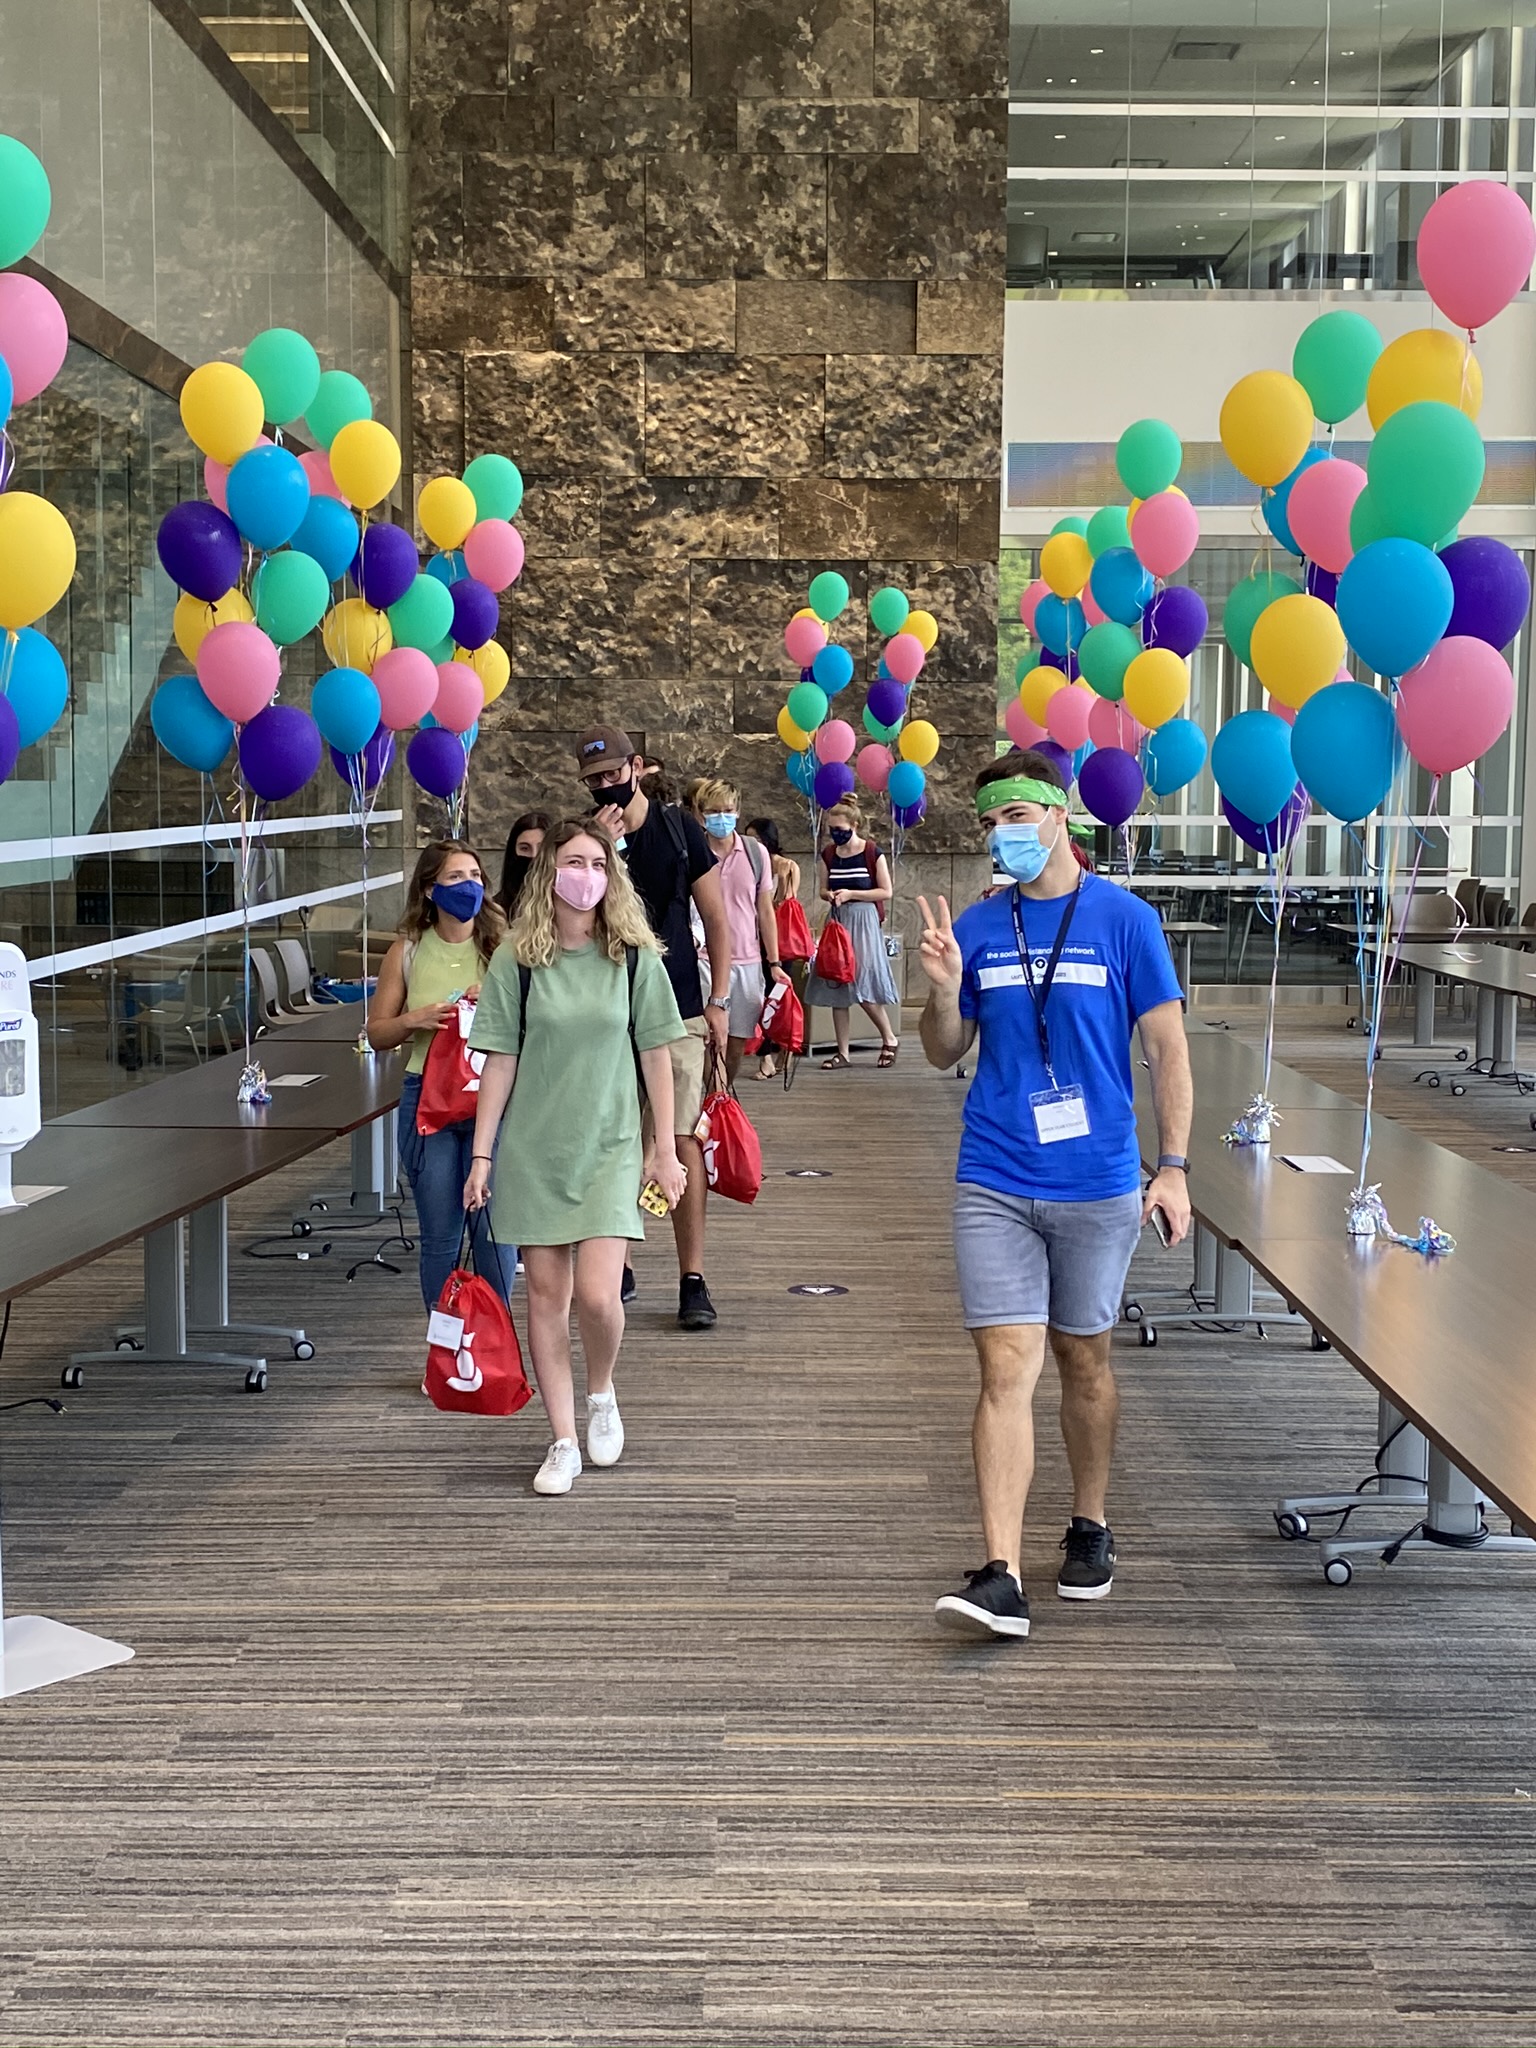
(577, 1000)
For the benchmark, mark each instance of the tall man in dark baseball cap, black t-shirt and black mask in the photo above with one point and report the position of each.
(673, 867)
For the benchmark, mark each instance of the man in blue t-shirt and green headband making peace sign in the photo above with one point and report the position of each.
(1058, 974)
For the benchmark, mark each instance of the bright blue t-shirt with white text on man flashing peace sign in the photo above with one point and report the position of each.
(1113, 970)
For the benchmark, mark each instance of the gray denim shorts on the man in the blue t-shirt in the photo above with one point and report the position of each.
(1043, 1263)
